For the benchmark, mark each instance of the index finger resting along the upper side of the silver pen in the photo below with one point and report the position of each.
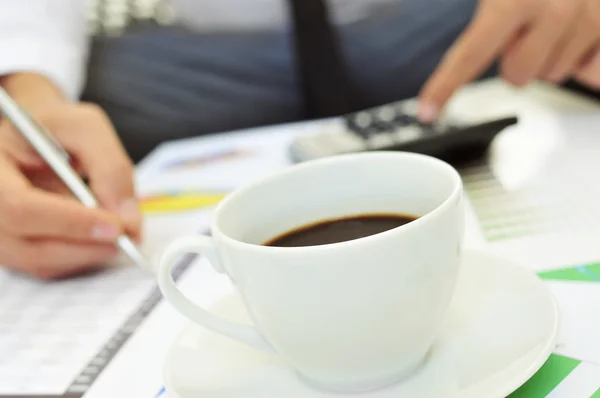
(105, 162)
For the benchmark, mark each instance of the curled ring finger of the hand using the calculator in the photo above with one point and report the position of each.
(576, 44)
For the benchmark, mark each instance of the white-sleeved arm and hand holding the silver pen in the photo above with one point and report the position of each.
(43, 231)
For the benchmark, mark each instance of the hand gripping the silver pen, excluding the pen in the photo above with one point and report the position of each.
(44, 230)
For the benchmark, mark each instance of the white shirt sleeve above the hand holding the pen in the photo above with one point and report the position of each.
(46, 37)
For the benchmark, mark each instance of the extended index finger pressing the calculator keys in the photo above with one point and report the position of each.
(475, 50)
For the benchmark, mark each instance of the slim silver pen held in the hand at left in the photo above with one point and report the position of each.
(58, 159)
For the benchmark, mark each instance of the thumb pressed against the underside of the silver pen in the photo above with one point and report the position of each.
(29, 212)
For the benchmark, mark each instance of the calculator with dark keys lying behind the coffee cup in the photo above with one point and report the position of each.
(395, 127)
